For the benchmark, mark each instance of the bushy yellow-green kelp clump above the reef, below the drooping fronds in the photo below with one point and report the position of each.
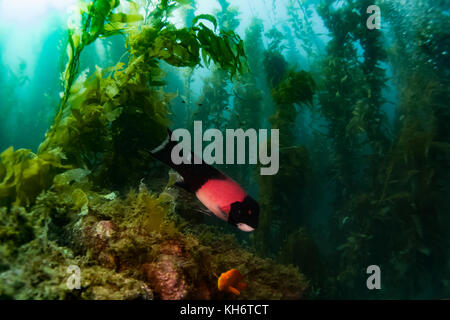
(96, 104)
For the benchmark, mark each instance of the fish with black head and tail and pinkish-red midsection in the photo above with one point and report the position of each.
(220, 194)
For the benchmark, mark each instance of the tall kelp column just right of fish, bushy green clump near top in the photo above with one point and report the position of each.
(281, 214)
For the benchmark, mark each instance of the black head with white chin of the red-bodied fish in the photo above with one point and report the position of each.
(244, 214)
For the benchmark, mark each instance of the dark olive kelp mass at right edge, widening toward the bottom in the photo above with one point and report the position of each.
(405, 200)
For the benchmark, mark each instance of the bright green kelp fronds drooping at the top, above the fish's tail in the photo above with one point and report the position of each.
(186, 47)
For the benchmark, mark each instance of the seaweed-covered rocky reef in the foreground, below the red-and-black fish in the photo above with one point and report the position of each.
(133, 246)
